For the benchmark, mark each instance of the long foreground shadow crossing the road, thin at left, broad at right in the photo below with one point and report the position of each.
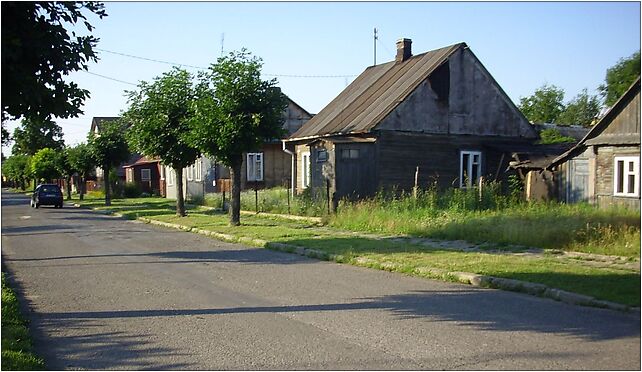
(481, 309)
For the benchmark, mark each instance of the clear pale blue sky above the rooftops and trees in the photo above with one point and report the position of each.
(315, 49)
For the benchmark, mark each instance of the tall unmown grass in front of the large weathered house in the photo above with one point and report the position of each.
(492, 217)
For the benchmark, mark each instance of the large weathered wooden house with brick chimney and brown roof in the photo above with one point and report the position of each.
(437, 118)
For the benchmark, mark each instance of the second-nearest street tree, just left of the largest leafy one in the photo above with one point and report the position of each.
(159, 114)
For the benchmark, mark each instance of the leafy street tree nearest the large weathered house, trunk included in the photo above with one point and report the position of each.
(236, 112)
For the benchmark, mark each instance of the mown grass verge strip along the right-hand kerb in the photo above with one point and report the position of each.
(617, 285)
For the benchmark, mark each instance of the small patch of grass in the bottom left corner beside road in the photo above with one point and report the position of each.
(17, 353)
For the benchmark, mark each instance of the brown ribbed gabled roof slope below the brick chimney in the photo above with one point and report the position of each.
(373, 95)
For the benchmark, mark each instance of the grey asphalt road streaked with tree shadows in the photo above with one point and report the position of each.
(104, 293)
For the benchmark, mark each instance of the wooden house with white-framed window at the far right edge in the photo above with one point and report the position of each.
(604, 167)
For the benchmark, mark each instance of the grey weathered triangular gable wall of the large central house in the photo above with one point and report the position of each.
(459, 98)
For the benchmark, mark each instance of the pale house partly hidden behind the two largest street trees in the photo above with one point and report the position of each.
(267, 167)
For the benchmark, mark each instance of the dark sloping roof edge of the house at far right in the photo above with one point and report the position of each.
(602, 125)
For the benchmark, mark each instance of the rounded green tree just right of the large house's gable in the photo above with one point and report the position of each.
(544, 106)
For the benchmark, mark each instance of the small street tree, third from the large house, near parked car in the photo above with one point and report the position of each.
(108, 149)
